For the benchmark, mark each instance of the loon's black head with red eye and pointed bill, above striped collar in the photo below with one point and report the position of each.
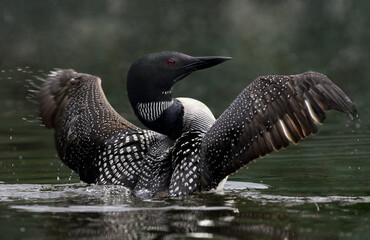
(154, 74)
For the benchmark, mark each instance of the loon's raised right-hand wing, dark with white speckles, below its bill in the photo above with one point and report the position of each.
(269, 113)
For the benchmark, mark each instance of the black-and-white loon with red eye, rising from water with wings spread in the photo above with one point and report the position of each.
(185, 149)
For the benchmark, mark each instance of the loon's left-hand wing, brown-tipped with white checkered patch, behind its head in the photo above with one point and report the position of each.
(91, 137)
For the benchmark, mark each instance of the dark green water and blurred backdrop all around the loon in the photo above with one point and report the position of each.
(318, 189)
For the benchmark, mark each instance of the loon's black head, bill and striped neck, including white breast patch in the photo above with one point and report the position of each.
(149, 83)
